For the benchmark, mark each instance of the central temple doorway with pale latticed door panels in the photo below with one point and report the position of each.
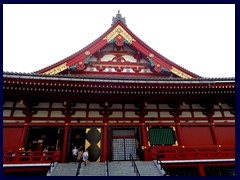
(124, 143)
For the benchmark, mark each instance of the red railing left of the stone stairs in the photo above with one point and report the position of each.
(29, 158)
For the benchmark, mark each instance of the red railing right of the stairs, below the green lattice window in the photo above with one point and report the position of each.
(179, 153)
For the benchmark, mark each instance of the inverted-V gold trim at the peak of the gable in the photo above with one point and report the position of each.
(119, 30)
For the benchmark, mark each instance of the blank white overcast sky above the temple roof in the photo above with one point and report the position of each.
(200, 38)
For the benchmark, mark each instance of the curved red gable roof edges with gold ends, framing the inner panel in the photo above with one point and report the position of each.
(118, 33)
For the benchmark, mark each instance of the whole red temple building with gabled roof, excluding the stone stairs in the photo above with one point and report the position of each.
(117, 96)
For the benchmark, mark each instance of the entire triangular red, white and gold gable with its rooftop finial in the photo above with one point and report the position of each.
(119, 50)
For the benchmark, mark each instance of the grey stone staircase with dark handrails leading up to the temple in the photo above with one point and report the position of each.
(115, 168)
